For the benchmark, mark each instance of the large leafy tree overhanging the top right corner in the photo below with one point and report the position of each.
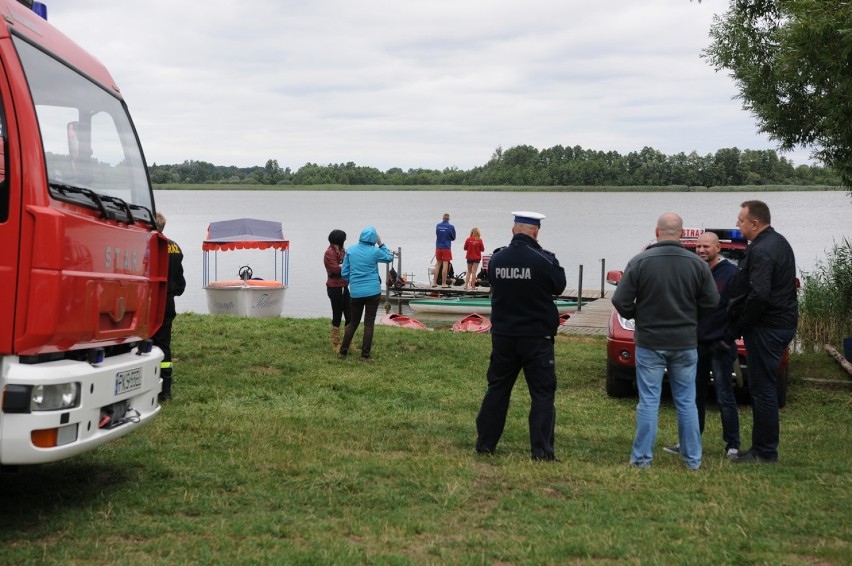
(792, 62)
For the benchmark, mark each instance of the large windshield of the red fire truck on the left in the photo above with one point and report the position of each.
(91, 151)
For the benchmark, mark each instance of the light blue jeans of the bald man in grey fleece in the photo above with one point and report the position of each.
(650, 368)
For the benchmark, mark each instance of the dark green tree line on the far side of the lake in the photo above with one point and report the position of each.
(525, 165)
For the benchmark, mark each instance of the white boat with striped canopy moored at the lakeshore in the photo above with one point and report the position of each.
(246, 296)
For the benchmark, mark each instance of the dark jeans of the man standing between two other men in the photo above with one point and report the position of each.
(719, 358)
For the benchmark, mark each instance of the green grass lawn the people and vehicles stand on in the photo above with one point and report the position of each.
(274, 451)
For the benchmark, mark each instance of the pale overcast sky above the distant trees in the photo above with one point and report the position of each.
(406, 83)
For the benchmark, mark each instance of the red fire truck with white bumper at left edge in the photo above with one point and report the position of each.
(82, 268)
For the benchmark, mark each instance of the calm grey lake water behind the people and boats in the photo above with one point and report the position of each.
(593, 230)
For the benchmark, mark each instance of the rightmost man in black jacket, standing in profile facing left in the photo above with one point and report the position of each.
(765, 312)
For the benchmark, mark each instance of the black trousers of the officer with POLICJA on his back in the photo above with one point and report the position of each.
(509, 355)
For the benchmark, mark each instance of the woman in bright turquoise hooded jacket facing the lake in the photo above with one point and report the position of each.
(361, 270)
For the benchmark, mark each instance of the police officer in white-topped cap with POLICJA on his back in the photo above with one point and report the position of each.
(524, 279)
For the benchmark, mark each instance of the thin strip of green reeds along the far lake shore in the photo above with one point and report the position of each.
(500, 188)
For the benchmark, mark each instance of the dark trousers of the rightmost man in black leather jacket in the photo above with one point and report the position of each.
(764, 348)
